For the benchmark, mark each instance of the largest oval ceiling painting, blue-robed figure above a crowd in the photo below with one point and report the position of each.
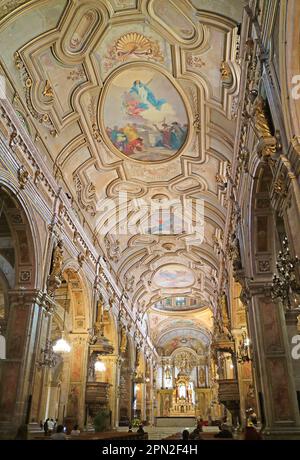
(144, 115)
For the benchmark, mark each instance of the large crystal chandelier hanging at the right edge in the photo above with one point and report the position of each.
(284, 283)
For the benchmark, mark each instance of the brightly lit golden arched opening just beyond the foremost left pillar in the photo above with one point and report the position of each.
(59, 391)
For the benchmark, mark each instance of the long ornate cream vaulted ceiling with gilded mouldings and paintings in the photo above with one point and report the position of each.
(87, 77)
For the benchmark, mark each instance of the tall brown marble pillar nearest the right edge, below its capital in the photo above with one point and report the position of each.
(277, 394)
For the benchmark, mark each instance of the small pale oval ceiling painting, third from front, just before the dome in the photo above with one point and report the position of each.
(174, 276)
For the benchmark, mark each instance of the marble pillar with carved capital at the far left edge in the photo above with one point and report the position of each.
(17, 375)
